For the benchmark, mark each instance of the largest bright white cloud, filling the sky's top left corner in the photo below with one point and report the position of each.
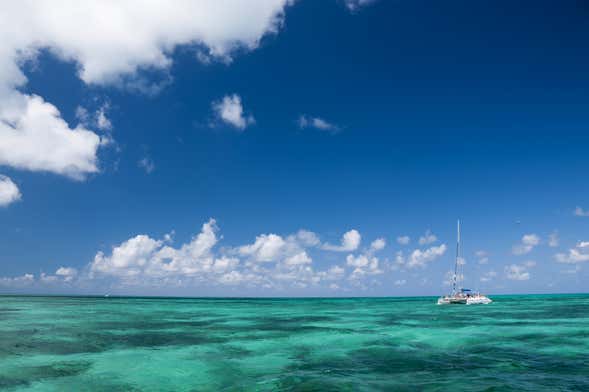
(111, 39)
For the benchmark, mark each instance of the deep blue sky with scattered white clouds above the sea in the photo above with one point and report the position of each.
(268, 149)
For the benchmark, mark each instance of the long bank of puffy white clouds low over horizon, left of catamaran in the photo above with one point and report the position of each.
(271, 261)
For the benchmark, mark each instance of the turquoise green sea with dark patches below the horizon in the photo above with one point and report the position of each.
(518, 343)
